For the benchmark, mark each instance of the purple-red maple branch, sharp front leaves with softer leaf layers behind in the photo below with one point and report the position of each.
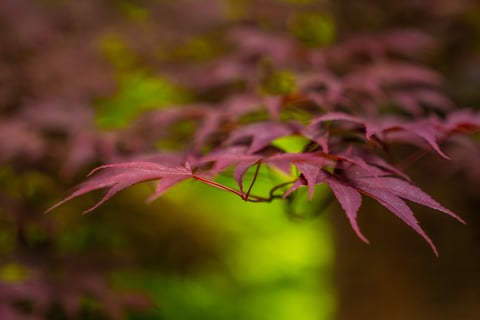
(348, 114)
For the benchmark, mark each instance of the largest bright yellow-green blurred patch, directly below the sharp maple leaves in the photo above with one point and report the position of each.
(270, 267)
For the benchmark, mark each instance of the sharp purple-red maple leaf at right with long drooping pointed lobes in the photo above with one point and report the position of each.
(353, 177)
